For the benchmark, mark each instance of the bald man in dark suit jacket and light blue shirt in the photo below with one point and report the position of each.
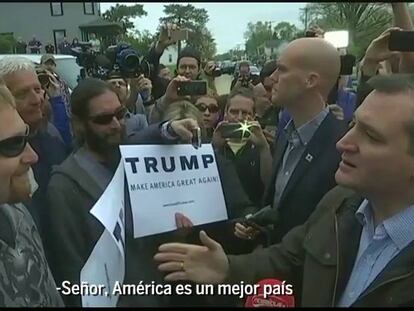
(305, 157)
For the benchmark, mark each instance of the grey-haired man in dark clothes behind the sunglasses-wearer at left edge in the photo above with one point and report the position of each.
(21, 79)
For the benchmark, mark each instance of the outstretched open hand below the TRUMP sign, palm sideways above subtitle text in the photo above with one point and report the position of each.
(200, 264)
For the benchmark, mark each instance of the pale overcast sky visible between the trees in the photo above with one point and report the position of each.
(228, 21)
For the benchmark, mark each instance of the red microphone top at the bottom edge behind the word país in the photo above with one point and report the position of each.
(272, 293)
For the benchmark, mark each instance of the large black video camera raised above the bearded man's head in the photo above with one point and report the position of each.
(120, 58)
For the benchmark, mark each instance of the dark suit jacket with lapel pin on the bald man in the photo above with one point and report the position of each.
(312, 178)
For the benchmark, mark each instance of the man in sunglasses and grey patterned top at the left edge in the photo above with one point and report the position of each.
(26, 280)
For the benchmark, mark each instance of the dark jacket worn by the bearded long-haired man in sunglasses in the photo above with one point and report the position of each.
(73, 233)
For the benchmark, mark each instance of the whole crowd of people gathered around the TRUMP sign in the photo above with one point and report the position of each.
(319, 193)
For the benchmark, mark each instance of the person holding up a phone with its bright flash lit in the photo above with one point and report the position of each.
(247, 148)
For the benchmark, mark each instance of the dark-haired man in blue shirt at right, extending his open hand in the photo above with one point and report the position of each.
(357, 248)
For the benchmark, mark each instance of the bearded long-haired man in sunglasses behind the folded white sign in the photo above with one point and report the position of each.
(76, 185)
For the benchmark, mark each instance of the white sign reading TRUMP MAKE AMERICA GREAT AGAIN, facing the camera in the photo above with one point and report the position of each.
(166, 179)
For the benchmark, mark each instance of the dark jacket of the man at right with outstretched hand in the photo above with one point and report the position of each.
(318, 258)
